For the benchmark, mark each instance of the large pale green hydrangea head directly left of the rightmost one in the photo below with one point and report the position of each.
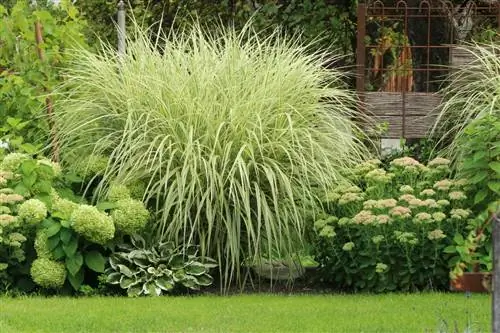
(92, 224)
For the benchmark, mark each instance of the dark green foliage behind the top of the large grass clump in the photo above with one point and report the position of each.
(333, 23)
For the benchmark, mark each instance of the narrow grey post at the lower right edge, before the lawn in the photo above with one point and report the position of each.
(496, 274)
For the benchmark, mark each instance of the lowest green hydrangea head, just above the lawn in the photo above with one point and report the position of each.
(48, 273)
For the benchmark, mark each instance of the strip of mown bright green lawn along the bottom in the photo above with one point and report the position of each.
(249, 313)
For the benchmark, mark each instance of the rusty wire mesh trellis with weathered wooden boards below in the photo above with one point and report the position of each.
(403, 51)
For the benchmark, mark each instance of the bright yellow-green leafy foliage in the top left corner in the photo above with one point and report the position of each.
(24, 78)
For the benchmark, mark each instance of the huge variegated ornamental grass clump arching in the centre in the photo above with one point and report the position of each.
(230, 131)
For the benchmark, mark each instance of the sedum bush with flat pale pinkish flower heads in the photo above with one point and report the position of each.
(389, 232)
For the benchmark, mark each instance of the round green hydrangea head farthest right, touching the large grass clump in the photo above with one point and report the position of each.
(130, 216)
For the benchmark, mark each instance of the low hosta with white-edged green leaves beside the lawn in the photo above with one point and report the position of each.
(145, 269)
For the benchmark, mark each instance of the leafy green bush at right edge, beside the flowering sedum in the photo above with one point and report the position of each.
(479, 151)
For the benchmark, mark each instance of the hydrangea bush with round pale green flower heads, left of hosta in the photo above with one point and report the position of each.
(42, 230)
